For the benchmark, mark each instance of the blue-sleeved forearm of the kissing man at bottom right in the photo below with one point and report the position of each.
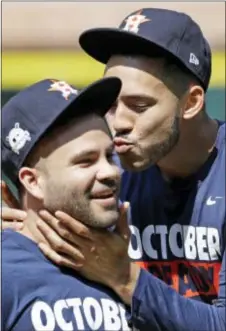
(155, 304)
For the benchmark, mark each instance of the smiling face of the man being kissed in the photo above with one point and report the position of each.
(77, 175)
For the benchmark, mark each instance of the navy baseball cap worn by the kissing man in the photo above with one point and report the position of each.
(154, 32)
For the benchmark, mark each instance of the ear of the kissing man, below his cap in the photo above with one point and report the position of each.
(194, 102)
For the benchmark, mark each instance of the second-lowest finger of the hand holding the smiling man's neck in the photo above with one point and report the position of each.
(59, 245)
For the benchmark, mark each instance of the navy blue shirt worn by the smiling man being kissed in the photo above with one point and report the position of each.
(37, 295)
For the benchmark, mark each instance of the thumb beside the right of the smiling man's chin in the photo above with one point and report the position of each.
(122, 227)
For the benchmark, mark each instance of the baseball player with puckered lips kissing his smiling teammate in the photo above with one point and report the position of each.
(174, 160)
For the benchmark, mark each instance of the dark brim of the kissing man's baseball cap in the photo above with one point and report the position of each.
(102, 43)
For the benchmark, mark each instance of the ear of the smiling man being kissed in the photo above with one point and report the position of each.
(31, 180)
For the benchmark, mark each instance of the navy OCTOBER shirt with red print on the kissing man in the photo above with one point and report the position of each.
(179, 235)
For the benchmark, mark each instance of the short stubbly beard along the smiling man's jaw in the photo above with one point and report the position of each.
(78, 205)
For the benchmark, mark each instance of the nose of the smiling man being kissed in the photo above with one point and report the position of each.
(108, 171)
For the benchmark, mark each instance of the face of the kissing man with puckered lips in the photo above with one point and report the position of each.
(145, 118)
